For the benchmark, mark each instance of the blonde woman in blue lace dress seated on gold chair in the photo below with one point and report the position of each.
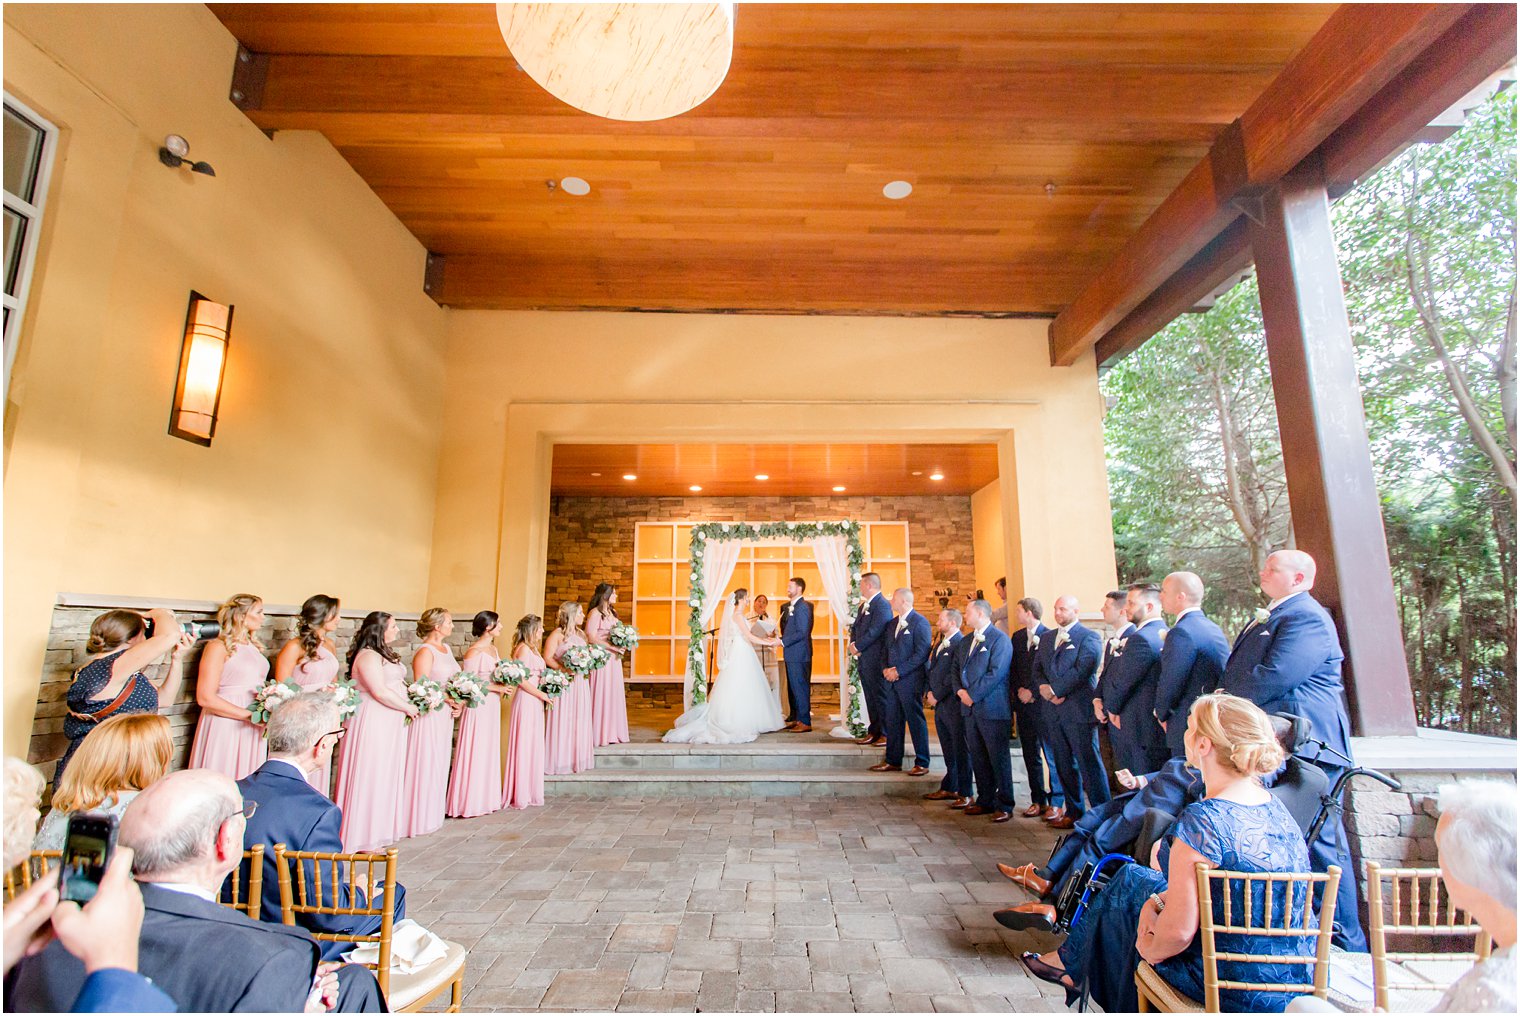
(1145, 915)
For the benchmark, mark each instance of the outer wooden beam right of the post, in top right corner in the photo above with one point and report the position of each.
(1457, 63)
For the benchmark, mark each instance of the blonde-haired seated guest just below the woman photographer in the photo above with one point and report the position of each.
(115, 761)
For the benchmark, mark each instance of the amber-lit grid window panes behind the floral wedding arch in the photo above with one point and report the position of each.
(663, 580)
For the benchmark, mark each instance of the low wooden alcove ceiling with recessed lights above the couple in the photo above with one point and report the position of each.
(791, 471)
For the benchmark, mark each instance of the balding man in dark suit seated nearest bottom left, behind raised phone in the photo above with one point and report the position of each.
(186, 833)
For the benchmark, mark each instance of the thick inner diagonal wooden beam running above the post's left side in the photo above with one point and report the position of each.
(1340, 71)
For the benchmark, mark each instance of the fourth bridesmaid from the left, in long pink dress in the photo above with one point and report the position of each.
(432, 738)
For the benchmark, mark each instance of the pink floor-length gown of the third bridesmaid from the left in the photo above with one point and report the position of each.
(373, 767)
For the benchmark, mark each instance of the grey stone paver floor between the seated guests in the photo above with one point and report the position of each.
(732, 906)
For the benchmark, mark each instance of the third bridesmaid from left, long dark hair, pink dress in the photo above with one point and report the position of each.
(373, 766)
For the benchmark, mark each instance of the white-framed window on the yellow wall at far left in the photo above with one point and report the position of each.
(28, 160)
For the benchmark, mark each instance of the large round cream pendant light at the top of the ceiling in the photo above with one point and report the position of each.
(622, 62)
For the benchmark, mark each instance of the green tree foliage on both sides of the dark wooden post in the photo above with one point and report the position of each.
(1428, 256)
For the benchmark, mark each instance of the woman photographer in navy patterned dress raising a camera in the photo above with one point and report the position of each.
(112, 682)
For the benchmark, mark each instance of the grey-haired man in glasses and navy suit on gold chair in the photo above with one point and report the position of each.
(302, 738)
